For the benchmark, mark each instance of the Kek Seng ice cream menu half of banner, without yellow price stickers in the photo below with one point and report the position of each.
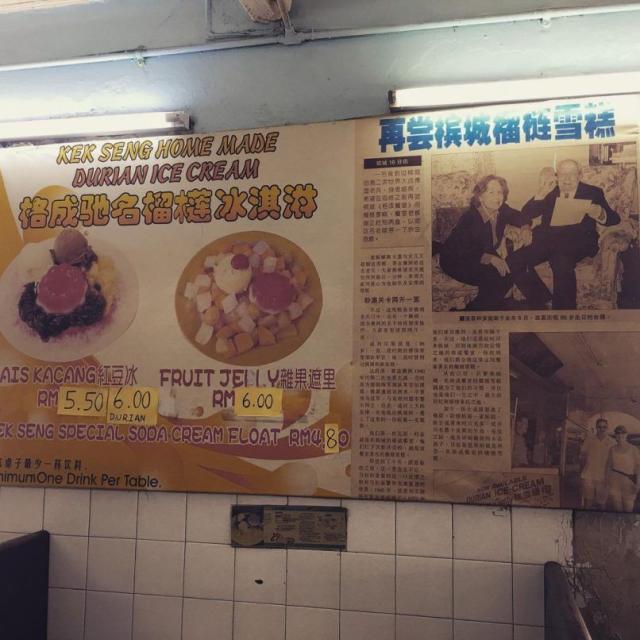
(194, 266)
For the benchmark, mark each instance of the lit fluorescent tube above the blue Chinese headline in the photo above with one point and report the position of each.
(479, 93)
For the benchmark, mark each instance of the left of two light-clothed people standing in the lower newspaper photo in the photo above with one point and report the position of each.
(593, 461)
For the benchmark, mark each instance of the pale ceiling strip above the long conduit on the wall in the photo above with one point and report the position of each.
(92, 28)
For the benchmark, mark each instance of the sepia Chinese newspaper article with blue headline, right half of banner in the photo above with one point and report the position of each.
(510, 284)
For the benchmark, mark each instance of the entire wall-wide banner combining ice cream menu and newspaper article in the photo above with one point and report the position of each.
(435, 306)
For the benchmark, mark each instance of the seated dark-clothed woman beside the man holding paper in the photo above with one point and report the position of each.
(475, 251)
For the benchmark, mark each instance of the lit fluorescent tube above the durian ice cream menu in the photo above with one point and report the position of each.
(87, 126)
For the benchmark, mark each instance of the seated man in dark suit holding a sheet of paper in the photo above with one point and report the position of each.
(564, 246)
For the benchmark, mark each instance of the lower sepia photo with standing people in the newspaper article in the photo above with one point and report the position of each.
(575, 413)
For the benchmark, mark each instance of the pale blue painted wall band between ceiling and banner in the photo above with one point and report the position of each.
(323, 80)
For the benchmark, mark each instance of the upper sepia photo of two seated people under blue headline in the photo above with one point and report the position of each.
(552, 228)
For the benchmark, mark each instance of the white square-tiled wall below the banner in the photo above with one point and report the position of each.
(158, 566)
